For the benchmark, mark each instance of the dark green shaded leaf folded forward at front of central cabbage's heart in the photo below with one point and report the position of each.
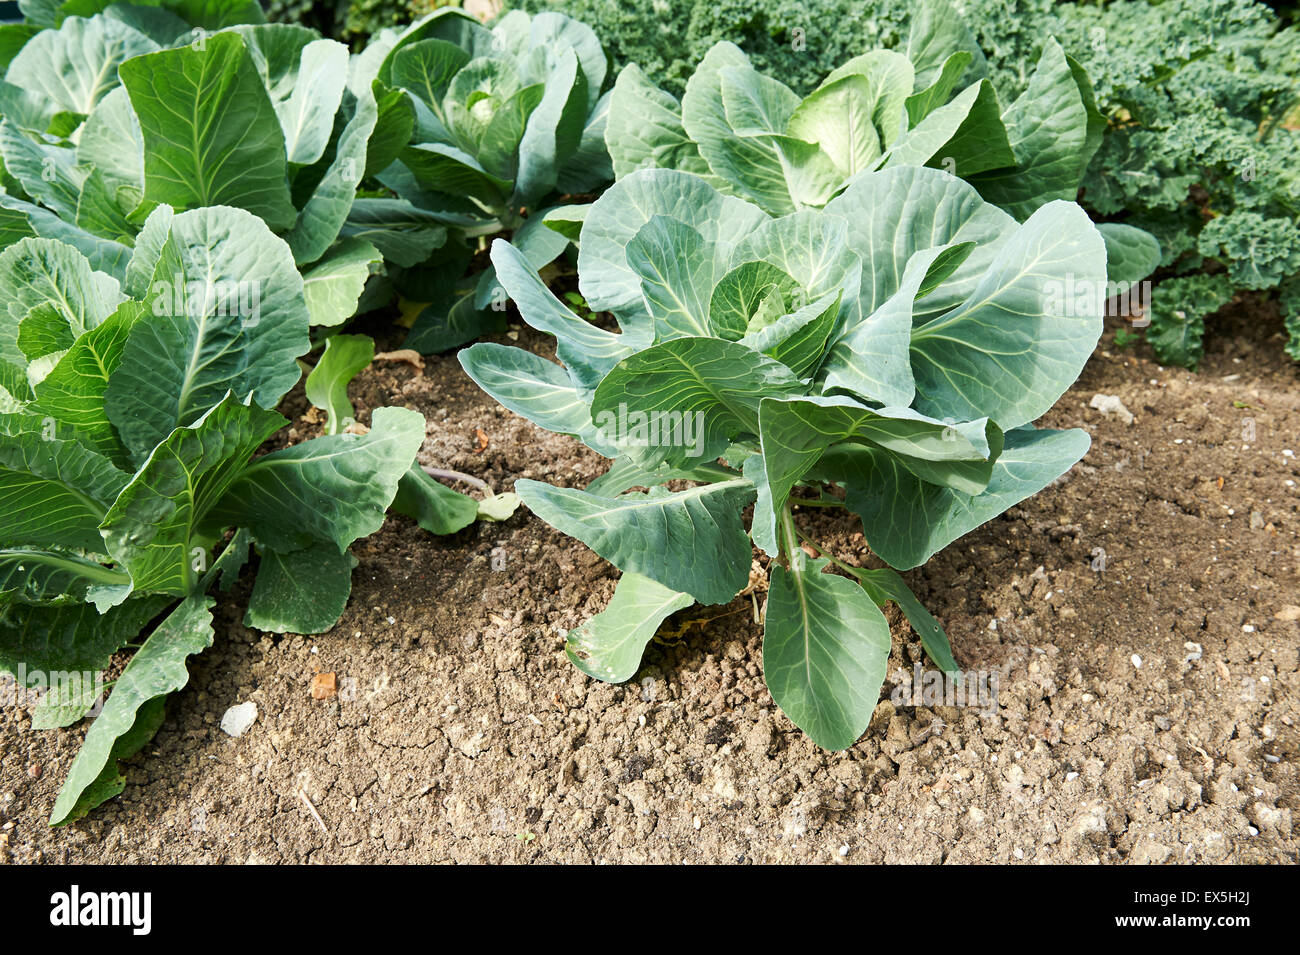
(694, 394)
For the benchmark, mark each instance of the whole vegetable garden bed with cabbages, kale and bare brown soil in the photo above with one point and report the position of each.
(725, 457)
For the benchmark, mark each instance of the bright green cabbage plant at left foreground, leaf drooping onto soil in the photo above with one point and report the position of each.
(131, 426)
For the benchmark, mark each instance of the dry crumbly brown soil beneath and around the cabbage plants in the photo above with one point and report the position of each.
(463, 733)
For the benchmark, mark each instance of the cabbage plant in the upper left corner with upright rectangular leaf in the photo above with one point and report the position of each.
(105, 119)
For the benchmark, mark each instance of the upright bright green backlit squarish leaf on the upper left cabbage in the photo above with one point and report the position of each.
(211, 133)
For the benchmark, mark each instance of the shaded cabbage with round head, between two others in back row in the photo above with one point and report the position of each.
(500, 124)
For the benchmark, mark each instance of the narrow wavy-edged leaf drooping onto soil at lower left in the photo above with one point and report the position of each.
(157, 671)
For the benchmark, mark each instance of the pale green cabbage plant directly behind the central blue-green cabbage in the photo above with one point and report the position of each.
(930, 105)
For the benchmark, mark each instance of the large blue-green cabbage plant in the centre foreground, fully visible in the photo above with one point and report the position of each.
(892, 349)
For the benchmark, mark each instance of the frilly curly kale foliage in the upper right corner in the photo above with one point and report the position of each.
(1202, 99)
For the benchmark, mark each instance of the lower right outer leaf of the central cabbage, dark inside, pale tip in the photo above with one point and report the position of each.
(907, 520)
